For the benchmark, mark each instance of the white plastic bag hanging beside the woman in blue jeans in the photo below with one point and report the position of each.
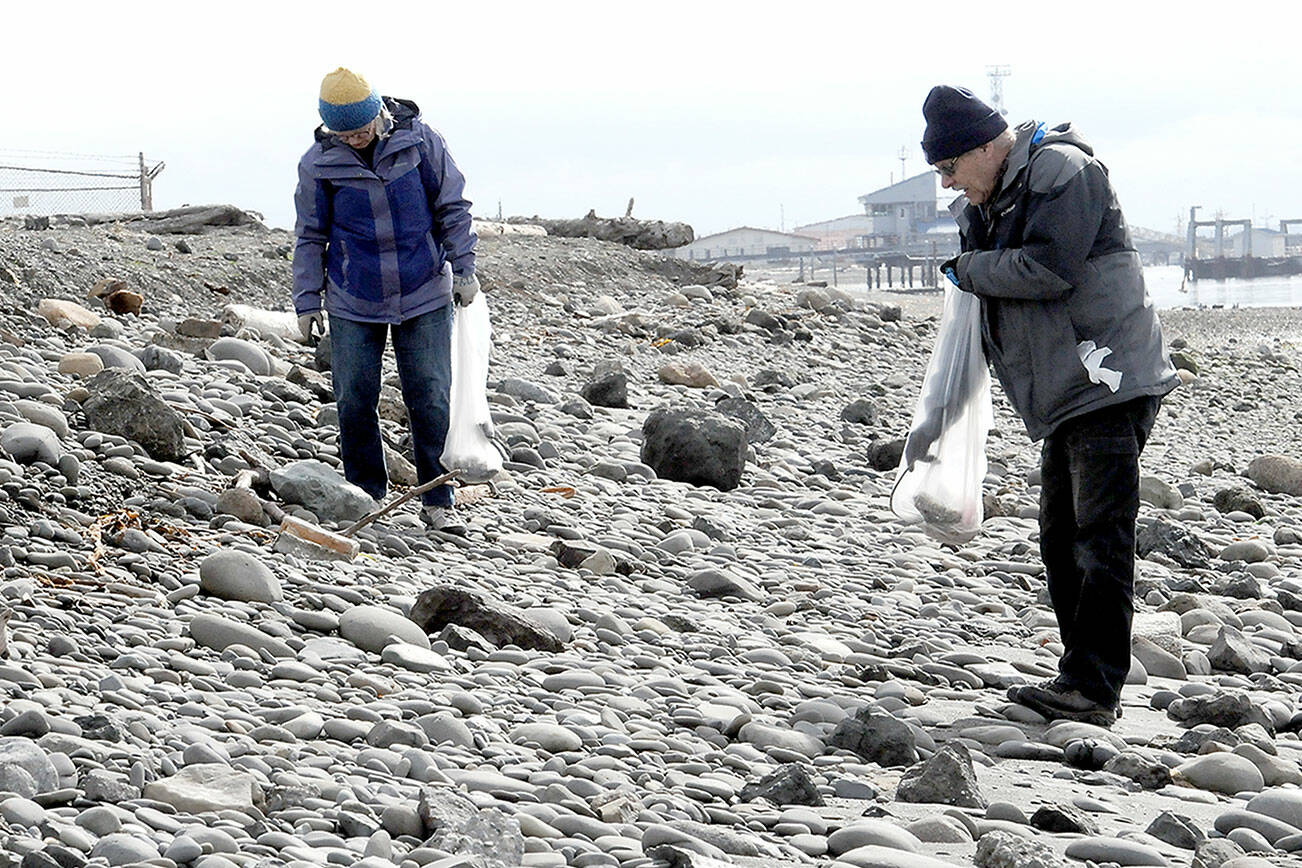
(471, 446)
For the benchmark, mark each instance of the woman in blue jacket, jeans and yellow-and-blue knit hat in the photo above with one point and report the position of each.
(385, 245)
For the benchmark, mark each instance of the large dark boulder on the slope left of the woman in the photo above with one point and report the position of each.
(124, 404)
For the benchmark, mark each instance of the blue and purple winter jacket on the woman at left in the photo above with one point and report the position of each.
(381, 244)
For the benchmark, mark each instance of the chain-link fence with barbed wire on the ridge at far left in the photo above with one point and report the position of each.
(48, 183)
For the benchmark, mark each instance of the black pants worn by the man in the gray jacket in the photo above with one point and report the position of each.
(1089, 504)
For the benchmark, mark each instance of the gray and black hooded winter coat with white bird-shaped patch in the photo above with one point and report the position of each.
(1066, 319)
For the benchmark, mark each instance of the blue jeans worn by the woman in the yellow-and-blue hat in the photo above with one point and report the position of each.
(424, 349)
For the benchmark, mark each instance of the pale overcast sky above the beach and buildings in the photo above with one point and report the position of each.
(718, 114)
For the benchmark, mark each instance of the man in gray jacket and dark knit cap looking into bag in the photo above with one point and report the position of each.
(1071, 332)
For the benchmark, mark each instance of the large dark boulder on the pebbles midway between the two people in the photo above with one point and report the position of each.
(695, 447)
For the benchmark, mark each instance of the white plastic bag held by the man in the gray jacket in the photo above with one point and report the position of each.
(947, 441)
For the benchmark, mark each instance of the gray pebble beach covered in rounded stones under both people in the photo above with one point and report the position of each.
(611, 668)
